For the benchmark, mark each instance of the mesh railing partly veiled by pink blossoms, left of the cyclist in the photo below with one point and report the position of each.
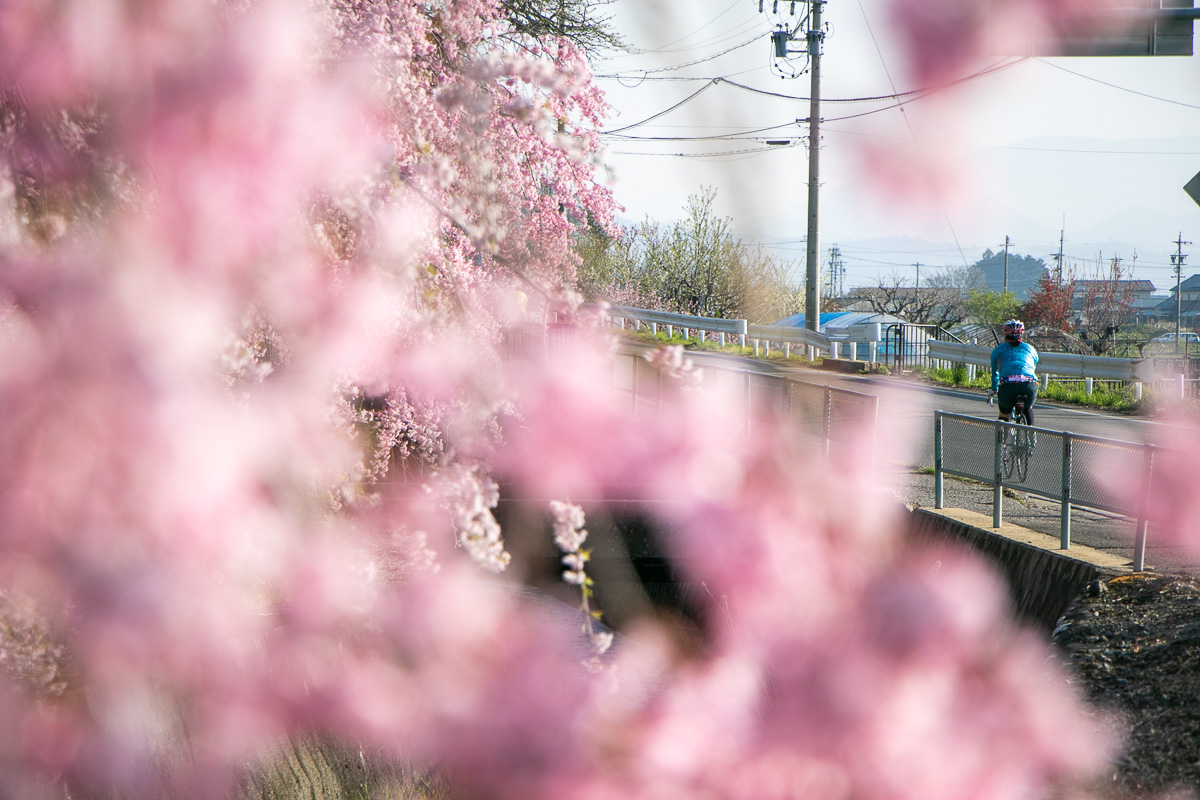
(824, 417)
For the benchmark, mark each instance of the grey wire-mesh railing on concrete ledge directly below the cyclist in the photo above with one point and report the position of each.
(1061, 467)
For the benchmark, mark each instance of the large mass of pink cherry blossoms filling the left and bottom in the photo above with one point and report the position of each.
(260, 254)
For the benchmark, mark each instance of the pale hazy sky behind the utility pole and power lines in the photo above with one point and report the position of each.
(1099, 149)
